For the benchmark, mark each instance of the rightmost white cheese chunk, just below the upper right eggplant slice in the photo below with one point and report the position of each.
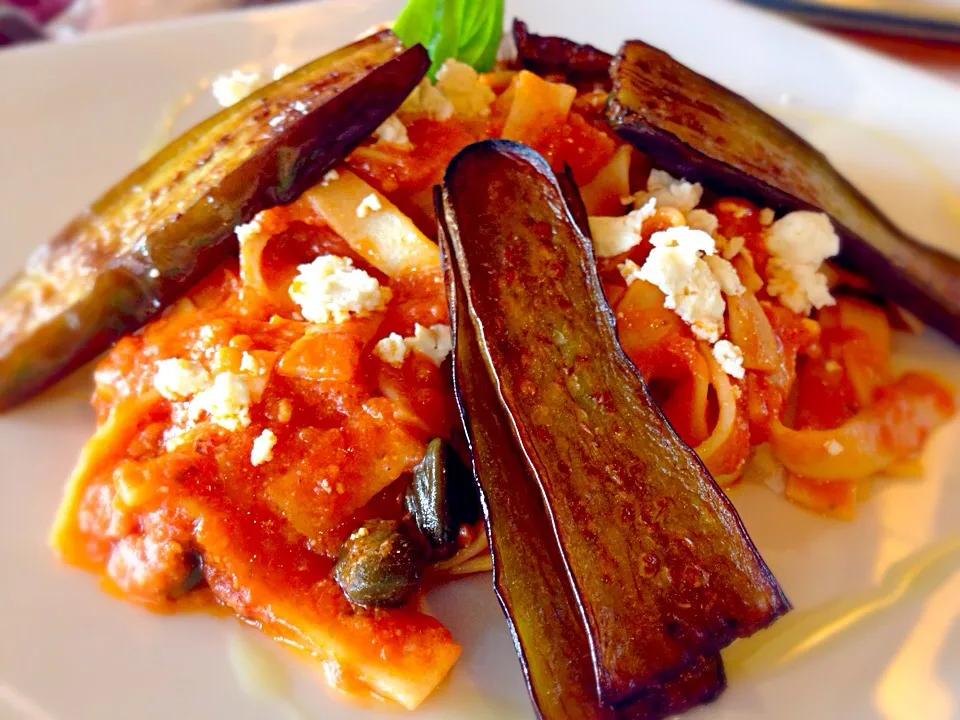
(799, 243)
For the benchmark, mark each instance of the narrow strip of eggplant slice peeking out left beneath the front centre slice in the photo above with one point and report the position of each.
(528, 574)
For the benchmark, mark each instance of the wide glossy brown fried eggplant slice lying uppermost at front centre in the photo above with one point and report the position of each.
(659, 559)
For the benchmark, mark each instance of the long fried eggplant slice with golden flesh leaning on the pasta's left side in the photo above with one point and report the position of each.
(150, 237)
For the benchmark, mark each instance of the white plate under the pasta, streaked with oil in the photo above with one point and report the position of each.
(74, 117)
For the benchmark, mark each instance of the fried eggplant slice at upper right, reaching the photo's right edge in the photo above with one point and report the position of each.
(695, 128)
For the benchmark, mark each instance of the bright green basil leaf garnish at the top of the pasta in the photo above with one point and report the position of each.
(466, 30)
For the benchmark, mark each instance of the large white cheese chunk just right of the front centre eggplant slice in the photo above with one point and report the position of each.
(676, 266)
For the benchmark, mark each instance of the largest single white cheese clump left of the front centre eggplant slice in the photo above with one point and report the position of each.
(331, 289)
